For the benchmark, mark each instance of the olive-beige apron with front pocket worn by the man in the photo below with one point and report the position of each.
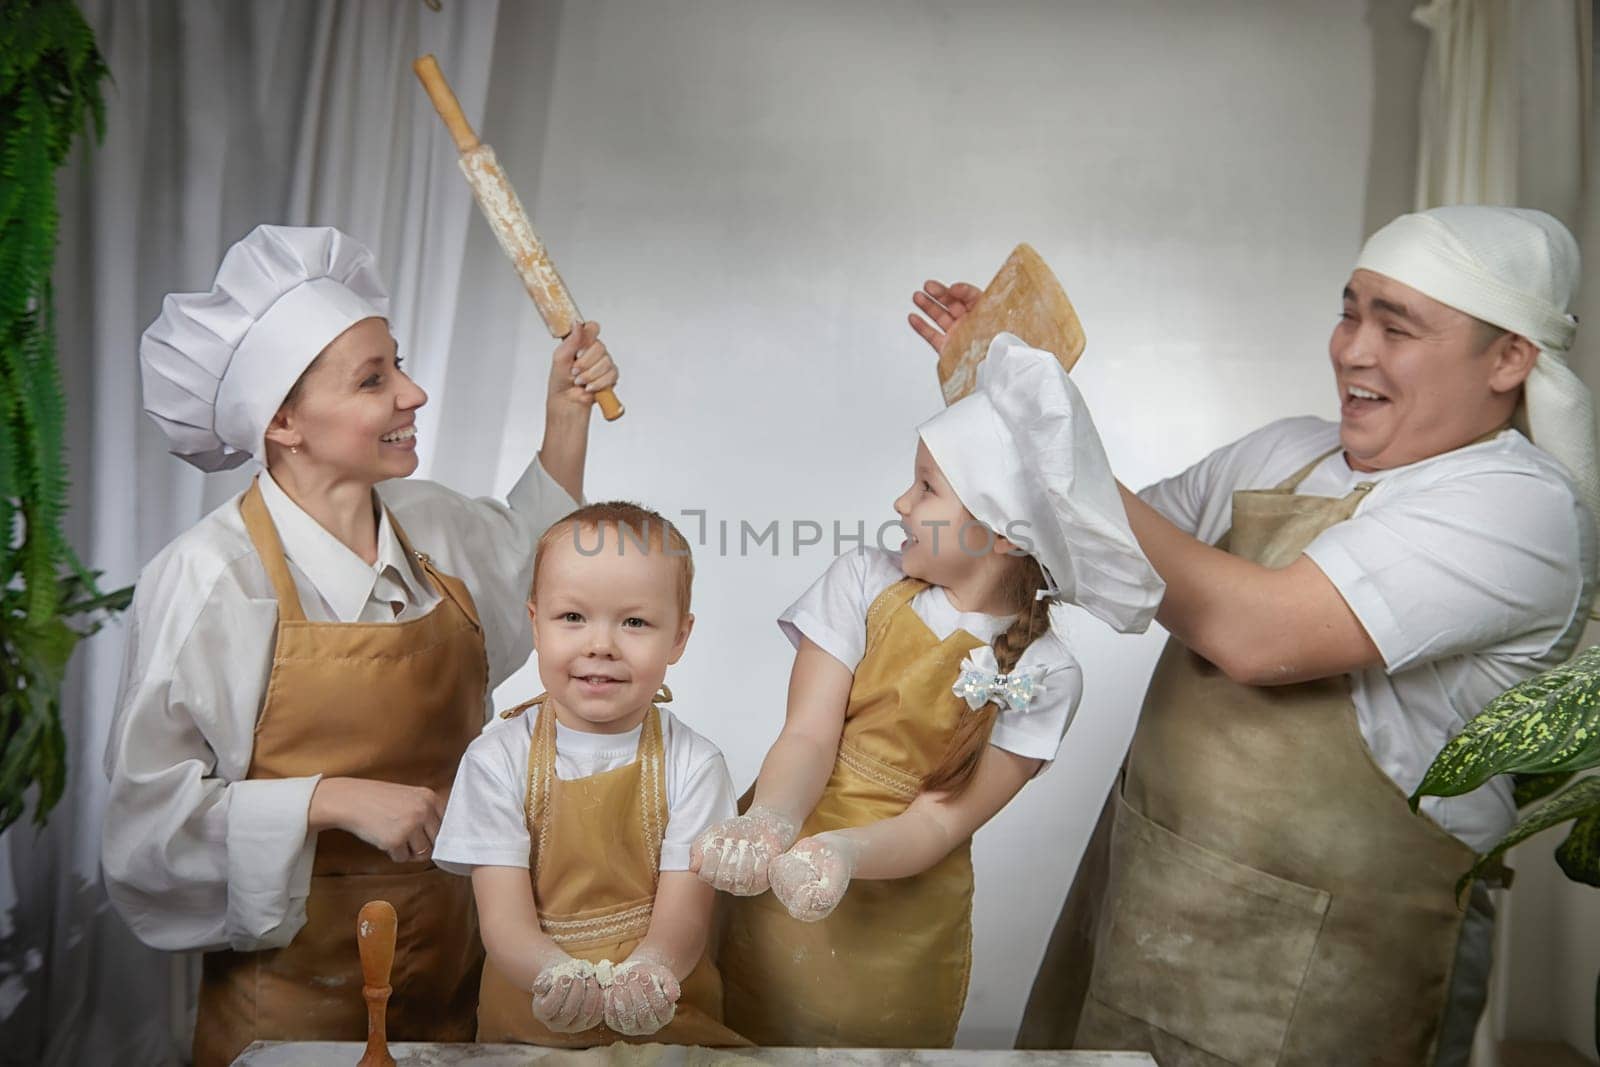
(1270, 898)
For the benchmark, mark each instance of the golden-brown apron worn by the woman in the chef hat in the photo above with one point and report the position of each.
(391, 701)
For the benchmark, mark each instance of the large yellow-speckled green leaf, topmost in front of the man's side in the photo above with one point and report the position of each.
(1548, 724)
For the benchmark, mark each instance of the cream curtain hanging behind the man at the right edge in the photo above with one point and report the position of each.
(1508, 118)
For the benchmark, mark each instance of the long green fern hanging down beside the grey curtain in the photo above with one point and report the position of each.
(50, 90)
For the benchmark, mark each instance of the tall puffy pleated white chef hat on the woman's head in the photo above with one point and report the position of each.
(218, 366)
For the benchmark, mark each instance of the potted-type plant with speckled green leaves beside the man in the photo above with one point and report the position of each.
(1546, 732)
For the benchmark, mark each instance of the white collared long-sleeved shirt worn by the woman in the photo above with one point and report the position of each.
(196, 857)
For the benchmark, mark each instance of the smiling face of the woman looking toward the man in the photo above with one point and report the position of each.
(354, 412)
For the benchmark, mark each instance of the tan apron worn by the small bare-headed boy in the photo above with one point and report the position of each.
(596, 858)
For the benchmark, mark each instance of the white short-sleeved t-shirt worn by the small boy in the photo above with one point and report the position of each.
(486, 825)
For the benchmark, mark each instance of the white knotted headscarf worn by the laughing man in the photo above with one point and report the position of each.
(1516, 270)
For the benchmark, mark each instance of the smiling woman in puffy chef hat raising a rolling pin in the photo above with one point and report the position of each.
(308, 663)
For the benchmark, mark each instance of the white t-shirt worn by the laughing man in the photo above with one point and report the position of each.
(1468, 570)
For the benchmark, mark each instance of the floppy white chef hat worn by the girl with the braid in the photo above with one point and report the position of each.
(1023, 455)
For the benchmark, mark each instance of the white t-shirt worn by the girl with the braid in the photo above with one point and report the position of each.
(834, 615)
